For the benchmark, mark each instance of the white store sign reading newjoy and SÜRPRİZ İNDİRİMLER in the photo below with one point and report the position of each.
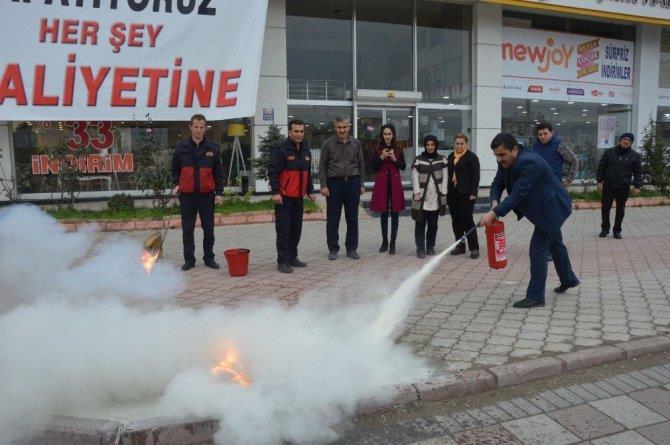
(558, 66)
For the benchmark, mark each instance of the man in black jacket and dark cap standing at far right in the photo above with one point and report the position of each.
(615, 169)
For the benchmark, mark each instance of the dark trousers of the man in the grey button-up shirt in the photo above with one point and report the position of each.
(345, 193)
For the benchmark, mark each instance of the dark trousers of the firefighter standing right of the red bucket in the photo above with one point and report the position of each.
(288, 224)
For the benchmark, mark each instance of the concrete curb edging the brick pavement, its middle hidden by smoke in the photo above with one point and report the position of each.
(170, 431)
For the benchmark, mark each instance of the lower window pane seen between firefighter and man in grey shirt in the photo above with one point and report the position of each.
(318, 127)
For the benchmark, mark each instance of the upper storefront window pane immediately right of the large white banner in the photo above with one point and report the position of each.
(319, 49)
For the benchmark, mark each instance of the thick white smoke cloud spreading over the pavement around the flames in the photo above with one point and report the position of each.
(77, 343)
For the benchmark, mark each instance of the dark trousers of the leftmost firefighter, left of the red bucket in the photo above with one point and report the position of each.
(190, 206)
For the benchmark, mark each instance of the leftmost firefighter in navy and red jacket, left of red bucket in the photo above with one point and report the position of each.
(197, 173)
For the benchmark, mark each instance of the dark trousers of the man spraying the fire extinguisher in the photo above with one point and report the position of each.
(541, 244)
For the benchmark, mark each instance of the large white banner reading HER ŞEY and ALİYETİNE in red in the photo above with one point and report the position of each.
(119, 59)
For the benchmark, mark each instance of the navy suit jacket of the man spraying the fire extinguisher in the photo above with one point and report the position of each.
(533, 191)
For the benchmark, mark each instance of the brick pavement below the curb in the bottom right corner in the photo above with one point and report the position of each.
(631, 408)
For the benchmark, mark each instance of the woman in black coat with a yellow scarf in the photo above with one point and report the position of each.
(462, 188)
